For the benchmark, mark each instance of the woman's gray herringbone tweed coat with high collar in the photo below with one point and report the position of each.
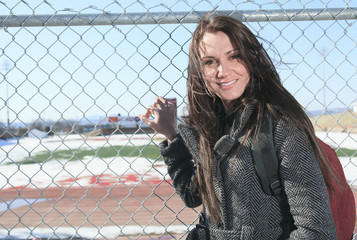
(248, 213)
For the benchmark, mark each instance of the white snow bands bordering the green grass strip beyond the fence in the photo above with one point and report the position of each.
(58, 172)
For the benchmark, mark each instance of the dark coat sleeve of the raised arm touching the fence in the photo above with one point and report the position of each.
(181, 169)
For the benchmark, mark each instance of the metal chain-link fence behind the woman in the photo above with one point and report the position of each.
(76, 162)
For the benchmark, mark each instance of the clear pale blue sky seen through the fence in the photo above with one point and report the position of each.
(80, 72)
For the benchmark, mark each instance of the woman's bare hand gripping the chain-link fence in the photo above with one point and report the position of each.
(164, 114)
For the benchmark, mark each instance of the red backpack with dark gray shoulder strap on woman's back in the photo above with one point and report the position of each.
(342, 201)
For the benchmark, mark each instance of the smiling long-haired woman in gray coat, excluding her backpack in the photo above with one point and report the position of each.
(232, 84)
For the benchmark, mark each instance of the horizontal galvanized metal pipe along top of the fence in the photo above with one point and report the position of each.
(105, 18)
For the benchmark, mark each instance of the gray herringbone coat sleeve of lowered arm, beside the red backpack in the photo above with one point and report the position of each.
(304, 186)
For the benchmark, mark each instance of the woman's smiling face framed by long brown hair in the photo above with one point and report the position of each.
(225, 74)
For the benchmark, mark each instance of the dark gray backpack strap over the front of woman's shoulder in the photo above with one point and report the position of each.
(265, 160)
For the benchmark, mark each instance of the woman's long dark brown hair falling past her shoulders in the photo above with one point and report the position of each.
(264, 91)
